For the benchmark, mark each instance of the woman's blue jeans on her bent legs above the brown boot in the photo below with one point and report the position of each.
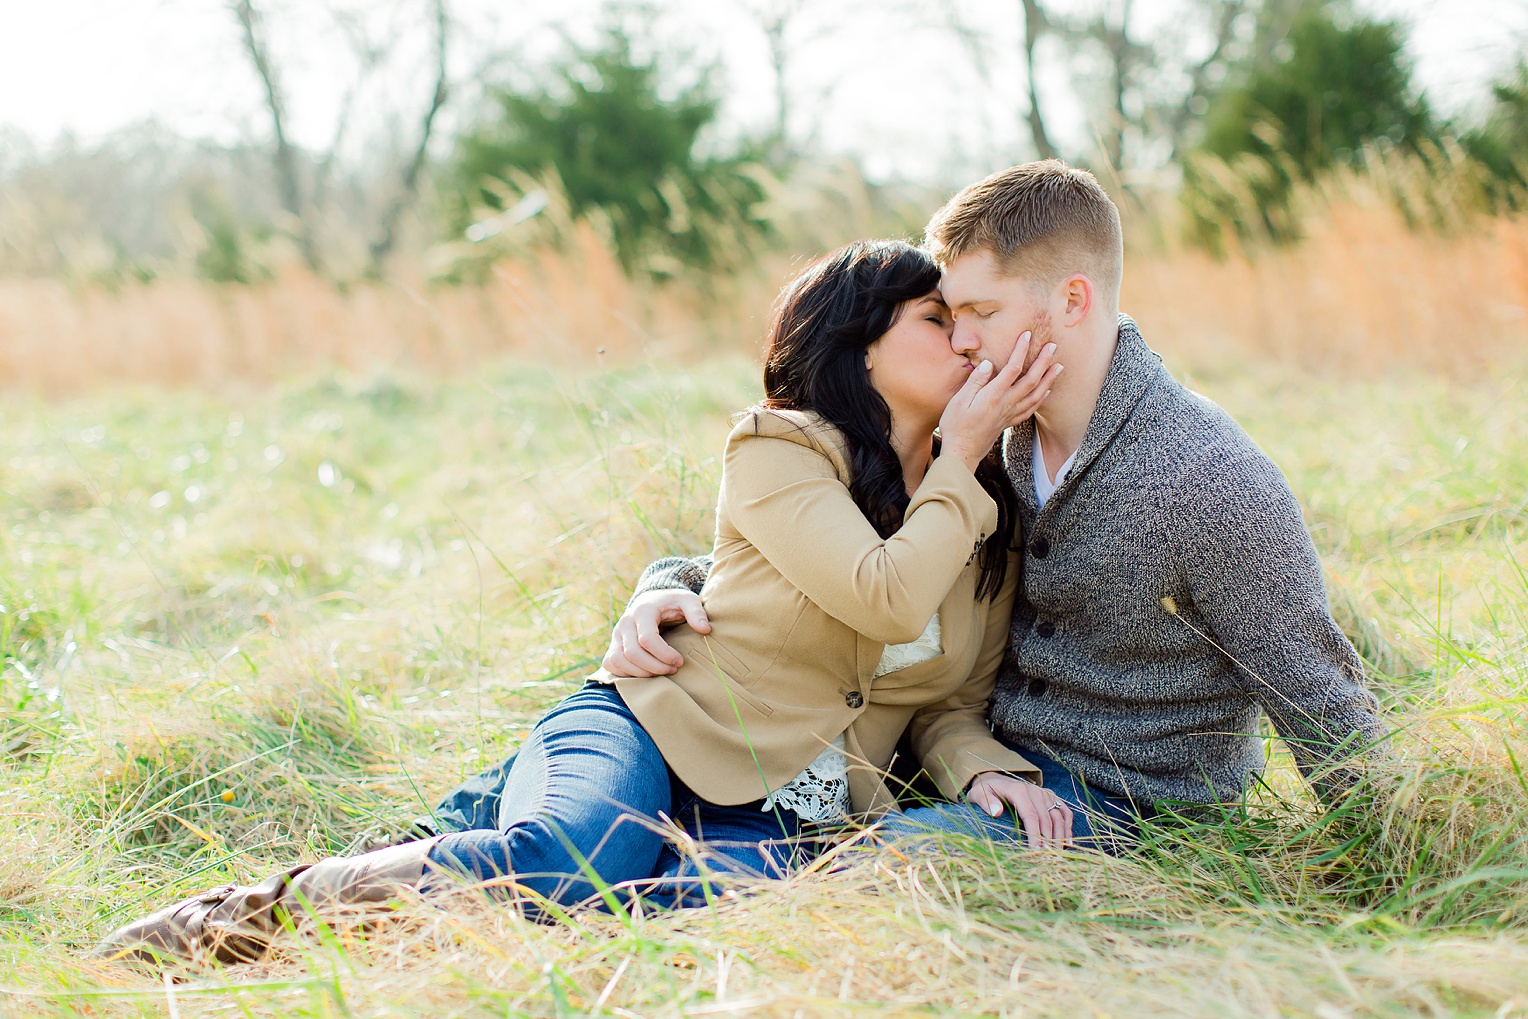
(588, 812)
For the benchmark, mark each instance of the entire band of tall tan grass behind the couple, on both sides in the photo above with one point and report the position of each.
(1362, 294)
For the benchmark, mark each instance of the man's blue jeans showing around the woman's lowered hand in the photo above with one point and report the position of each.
(1110, 824)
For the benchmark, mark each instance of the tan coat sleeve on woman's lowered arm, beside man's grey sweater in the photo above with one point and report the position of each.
(951, 737)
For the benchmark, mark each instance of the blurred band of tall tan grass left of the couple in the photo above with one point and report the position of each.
(566, 303)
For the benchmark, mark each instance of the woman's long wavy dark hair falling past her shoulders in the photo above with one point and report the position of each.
(815, 361)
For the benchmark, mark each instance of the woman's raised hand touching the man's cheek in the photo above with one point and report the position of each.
(986, 406)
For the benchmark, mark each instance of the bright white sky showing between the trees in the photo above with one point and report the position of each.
(884, 82)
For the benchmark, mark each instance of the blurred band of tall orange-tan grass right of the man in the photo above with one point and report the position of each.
(1362, 294)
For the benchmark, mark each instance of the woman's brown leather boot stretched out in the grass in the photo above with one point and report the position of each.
(239, 925)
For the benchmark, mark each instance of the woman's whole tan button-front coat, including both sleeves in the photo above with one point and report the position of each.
(803, 600)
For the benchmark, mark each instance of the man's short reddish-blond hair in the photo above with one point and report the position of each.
(1041, 221)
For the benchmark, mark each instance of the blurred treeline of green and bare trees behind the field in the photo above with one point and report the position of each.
(1235, 111)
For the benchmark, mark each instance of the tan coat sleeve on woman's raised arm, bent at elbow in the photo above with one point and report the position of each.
(785, 497)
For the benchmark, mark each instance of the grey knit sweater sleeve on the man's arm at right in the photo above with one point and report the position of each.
(1257, 584)
